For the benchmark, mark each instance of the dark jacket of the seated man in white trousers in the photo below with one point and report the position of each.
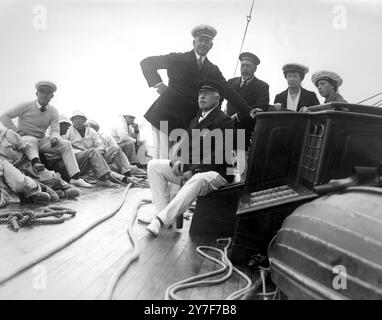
(217, 119)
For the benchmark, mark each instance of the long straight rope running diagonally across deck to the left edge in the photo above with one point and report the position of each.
(17, 271)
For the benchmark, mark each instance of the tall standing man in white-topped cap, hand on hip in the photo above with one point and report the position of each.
(178, 102)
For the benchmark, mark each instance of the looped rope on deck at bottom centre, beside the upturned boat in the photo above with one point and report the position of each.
(225, 264)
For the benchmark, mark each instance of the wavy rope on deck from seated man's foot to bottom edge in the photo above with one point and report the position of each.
(108, 293)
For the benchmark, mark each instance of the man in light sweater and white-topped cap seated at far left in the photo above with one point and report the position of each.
(34, 119)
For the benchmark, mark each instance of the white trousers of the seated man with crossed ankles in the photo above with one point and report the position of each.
(159, 174)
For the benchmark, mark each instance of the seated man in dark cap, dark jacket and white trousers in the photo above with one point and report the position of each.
(198, 179)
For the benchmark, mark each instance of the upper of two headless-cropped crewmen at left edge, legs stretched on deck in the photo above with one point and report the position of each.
(24, 157)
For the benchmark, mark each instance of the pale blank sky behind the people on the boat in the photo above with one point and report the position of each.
(92, 49)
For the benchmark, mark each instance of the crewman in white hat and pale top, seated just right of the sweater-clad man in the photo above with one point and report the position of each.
(83, 138)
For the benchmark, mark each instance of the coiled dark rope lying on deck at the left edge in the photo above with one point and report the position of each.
(17, 220)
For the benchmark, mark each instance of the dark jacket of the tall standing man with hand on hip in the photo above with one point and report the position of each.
(179, 104)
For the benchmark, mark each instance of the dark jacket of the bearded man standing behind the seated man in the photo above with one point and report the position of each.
(256, 93)
